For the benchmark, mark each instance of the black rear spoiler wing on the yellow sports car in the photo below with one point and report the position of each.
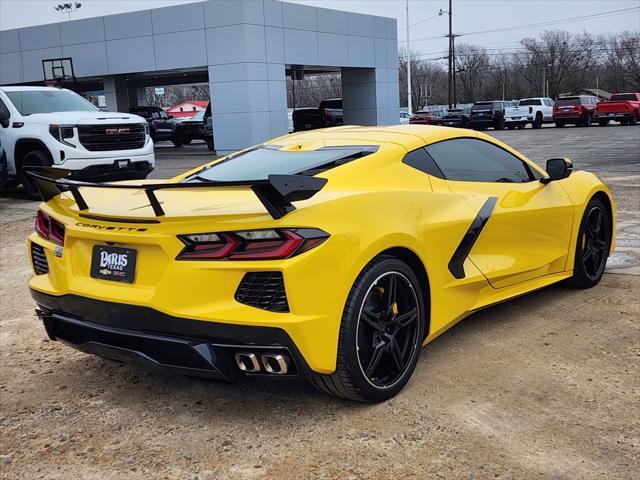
(276, 192)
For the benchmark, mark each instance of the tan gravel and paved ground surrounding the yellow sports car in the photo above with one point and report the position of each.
(545, 386)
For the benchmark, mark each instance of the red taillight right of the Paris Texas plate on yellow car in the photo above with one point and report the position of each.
(268, 244)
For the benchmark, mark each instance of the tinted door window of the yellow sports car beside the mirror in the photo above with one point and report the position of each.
(472, 160)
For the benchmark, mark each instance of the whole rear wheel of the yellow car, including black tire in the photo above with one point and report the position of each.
(380, 336)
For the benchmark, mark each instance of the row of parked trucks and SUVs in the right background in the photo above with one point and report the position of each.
(579, 110)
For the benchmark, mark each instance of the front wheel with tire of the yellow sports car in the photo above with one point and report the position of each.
(593, 245)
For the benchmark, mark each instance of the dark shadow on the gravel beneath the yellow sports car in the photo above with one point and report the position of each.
(130, 386)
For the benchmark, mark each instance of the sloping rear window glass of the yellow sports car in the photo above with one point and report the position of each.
(259, 163)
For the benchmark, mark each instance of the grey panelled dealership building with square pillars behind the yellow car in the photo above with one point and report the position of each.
(244, 50)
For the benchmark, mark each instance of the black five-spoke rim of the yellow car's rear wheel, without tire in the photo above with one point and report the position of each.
(387, 330)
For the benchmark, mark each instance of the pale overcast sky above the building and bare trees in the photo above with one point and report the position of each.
(469, 16)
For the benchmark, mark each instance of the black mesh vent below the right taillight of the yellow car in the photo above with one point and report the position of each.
(263, 290)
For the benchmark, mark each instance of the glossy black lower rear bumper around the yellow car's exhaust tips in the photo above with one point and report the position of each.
(160, 341)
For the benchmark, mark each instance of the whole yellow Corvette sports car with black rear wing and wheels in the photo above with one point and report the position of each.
(333, 254)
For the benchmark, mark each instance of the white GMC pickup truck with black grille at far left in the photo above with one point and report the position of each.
(46, 126)
